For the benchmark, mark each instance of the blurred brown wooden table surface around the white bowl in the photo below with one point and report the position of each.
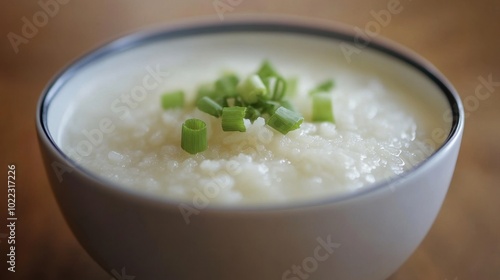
(460, 37)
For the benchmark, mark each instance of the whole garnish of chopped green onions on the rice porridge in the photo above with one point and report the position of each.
(260, 95)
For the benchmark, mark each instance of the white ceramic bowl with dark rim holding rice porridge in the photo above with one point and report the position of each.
(366, 234)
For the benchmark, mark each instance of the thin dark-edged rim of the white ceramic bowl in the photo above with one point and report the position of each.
(291, 25)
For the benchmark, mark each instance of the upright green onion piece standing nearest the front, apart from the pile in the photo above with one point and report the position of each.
(194, 136)
